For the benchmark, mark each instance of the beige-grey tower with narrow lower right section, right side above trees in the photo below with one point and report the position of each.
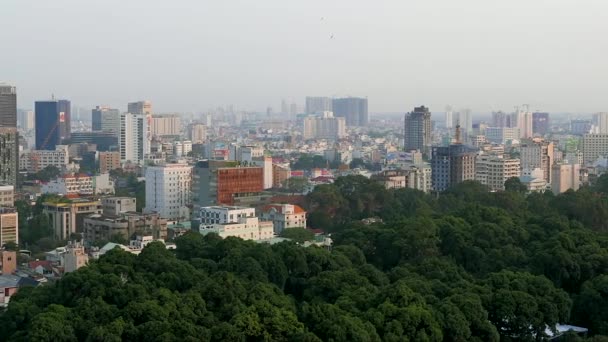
(537, 154)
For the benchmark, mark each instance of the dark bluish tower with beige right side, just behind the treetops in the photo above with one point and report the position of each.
(451, 165)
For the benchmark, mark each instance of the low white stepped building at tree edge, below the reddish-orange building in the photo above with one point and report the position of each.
(235, 221)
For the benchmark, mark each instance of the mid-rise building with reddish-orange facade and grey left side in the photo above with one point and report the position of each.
(220, 182)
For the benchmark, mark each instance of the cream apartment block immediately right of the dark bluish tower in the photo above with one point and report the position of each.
(493, 171)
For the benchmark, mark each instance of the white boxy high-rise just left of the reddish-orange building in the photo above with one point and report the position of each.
(168, 191)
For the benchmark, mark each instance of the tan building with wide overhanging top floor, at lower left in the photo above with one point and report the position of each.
(67, 216)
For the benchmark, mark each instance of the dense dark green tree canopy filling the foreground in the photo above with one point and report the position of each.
(467, 265)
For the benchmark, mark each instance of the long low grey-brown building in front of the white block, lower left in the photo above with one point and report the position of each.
(127, 224)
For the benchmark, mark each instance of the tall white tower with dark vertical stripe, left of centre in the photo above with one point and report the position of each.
(135, 137)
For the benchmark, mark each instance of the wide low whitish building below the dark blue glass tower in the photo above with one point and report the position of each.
(80, 184)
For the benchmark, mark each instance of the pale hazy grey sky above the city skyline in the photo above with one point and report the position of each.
(190, 55)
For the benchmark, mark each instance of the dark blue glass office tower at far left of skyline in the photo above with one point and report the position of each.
(52, 123)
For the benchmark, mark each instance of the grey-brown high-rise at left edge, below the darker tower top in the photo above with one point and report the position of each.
(9, 154)
